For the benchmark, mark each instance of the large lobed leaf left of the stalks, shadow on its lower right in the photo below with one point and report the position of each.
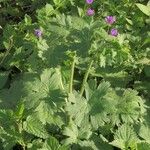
(47, 86)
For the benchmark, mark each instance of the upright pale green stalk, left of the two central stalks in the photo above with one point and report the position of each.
(72, 75)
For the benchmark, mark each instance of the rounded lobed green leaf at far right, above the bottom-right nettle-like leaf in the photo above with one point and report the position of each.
(131, 107)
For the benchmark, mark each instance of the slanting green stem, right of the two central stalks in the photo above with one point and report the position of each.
(85, 78)
